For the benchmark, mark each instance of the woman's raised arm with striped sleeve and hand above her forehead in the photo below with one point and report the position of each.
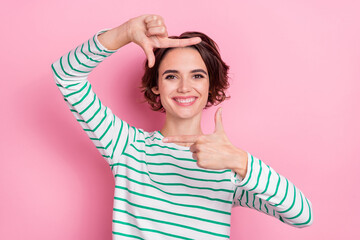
(109, 133)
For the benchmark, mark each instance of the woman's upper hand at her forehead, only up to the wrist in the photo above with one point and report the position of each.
(149, 32)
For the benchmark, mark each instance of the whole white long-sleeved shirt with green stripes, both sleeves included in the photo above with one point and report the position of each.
(160, 192)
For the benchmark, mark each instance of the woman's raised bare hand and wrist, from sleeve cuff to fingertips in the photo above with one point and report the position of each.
(147, 31)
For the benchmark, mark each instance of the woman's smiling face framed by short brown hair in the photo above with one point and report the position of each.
(183, 83)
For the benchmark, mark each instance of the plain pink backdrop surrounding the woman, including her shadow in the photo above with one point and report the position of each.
(295, 105)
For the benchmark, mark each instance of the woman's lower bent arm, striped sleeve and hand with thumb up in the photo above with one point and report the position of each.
(257, 185)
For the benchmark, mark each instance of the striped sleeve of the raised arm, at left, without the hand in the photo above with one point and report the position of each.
(109, 133)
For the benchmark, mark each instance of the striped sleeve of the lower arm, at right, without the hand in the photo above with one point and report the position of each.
(267, 191)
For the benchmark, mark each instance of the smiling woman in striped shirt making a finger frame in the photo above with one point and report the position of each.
(176, 183)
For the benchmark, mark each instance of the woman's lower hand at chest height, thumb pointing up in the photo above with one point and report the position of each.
(214, 151)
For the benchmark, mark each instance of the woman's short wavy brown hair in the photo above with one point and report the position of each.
(217, 69)
